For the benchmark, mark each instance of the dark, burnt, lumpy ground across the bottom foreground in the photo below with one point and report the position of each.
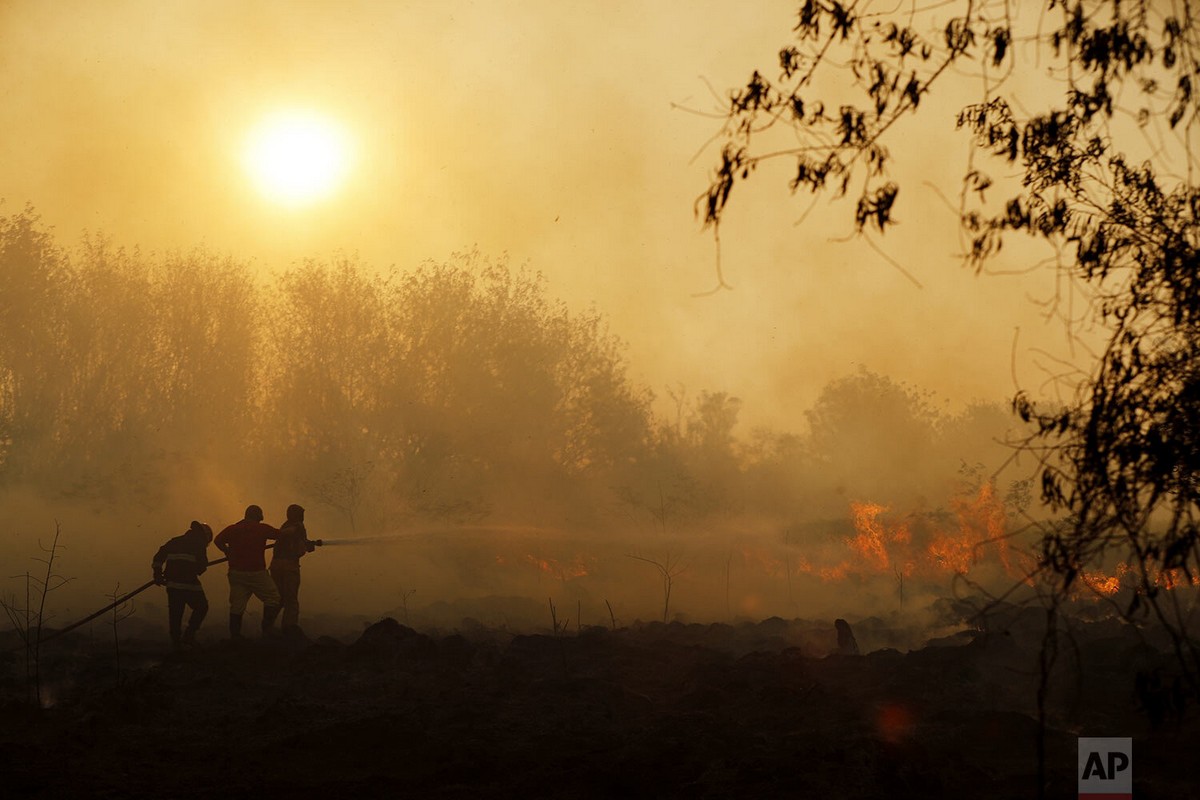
(752, 711)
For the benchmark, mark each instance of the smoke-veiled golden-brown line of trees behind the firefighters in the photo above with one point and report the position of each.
(454, 392)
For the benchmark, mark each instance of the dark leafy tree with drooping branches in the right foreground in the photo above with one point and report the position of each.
(1084, 143)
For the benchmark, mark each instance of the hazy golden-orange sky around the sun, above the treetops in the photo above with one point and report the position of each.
(555, 133)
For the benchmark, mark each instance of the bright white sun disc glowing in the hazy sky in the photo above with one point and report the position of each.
(297, 158)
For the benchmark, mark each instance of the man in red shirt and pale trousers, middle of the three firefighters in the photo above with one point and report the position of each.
(245, 544)
